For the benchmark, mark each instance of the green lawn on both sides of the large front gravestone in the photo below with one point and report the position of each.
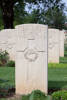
(57, 76)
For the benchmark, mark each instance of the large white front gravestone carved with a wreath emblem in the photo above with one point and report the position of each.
(31, 58)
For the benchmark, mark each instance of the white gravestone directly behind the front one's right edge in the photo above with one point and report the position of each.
(53, 45)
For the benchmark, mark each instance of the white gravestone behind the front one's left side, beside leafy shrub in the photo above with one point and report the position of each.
(7, 41)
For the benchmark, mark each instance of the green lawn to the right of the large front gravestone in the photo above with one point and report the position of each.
(57, 76)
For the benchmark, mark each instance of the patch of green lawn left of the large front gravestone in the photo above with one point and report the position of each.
(7, 77)
